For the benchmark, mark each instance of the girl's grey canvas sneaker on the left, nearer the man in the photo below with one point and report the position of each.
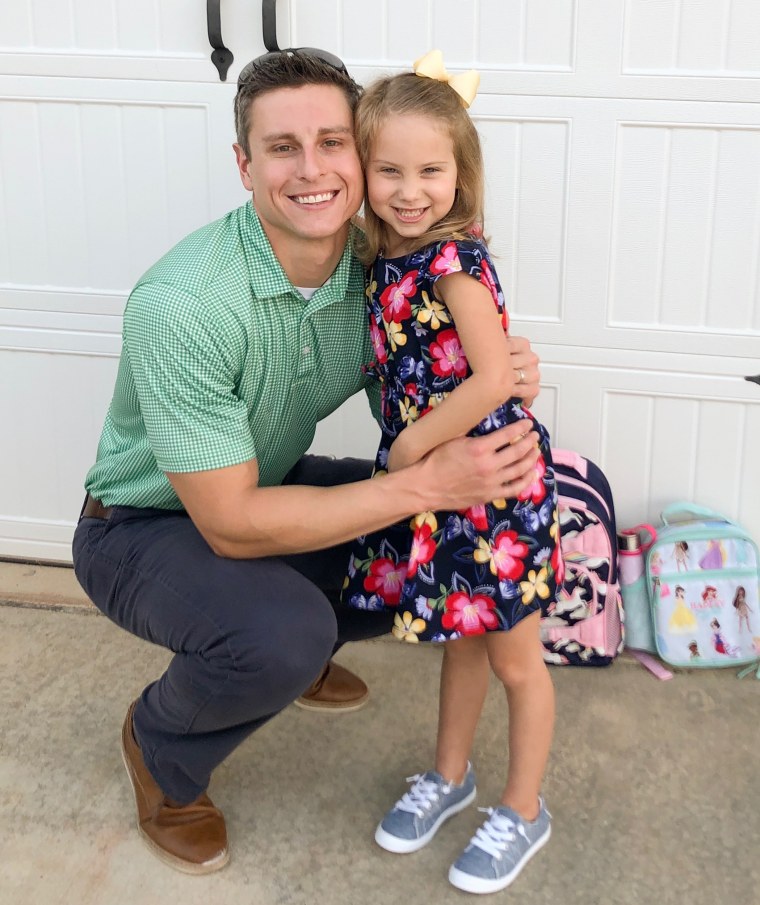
(416, 817)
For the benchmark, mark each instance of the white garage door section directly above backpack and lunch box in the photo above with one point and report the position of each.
(665, 436)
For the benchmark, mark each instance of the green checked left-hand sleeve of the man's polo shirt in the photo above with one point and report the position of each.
(186, 372)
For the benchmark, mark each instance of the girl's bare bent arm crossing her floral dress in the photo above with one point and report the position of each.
(490, 384)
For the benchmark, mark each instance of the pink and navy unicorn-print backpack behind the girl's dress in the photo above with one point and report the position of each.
(584, 626)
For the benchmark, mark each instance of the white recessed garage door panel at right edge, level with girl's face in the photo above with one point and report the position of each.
(685, 235)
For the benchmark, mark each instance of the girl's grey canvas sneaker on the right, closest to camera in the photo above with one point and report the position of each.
(500, 849)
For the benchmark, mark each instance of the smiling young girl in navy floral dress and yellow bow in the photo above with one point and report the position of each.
(473, 579)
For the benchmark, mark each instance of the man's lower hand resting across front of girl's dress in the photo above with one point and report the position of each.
(472, 470)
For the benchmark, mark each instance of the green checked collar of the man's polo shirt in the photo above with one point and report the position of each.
(269, 279)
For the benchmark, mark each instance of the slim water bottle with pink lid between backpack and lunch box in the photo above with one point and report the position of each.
(632, 546)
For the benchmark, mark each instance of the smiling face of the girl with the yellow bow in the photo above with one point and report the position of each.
(411, 178)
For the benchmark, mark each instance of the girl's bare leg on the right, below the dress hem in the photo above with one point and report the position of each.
(516, 658)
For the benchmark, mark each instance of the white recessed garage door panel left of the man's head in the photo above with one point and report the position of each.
(99, 188)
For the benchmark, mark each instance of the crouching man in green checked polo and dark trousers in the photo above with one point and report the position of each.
(206, 529)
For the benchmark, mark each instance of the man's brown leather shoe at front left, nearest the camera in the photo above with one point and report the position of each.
(191, 838)
